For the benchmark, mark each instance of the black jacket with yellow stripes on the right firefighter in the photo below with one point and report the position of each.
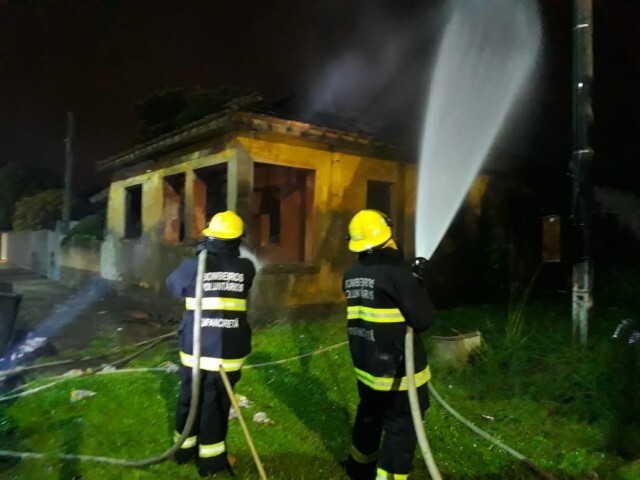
(383, 297)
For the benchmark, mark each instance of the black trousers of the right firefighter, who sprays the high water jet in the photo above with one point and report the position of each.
(387, 412)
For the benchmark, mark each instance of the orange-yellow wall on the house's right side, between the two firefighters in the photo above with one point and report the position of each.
(340, 191)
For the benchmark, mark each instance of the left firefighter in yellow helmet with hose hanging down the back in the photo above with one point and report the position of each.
(225, 338)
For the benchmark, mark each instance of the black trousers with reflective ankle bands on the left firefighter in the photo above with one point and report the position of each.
(212, 419)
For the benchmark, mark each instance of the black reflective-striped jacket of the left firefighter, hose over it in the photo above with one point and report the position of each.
(225, 335)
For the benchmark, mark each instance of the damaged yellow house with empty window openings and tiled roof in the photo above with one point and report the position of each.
(295, 185)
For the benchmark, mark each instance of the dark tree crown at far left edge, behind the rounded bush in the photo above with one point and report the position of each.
(17, 181)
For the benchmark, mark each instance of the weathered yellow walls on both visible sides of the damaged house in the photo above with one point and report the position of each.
(340, 191)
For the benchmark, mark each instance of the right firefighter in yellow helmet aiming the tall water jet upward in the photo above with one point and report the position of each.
(383, 297)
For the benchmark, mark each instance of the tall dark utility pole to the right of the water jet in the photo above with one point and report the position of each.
(581, 160)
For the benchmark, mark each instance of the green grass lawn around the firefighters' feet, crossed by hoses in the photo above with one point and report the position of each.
(562, 406)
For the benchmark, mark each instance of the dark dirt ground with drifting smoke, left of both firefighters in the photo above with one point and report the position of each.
(74, 318)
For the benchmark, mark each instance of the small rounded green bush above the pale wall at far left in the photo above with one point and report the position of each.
(38, 212)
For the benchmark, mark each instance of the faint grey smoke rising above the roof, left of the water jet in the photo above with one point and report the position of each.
(377, 70)
